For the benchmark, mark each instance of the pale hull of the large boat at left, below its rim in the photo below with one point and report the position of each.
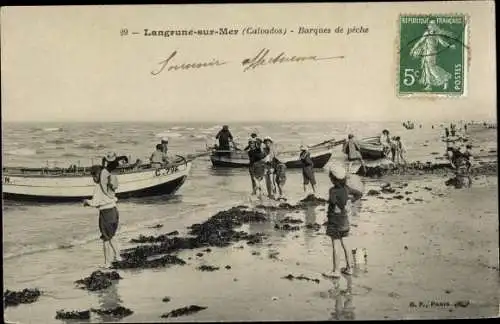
(142, 183)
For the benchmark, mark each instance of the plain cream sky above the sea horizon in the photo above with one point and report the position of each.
(70, 63)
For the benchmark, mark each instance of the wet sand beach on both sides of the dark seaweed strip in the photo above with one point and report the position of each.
(432, 252)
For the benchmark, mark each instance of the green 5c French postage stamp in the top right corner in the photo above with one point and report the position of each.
(433, 55)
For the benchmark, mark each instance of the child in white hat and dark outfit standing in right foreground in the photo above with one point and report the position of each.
(338, 222)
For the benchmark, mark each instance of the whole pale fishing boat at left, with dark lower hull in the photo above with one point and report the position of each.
(76, 183)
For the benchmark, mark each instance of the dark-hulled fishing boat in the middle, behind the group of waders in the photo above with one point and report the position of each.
(320, 155)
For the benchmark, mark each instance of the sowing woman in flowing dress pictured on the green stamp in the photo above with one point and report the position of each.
(426, 48)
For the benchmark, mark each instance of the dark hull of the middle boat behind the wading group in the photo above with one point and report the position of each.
(240, 160)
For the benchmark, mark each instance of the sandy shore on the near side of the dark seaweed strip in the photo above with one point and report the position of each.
(443, 249)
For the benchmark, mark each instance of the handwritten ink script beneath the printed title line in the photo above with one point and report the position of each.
(263, 58)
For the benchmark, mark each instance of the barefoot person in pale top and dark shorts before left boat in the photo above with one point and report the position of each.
(104, 198)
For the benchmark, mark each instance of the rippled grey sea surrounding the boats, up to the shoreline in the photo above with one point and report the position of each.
(40, 239)
